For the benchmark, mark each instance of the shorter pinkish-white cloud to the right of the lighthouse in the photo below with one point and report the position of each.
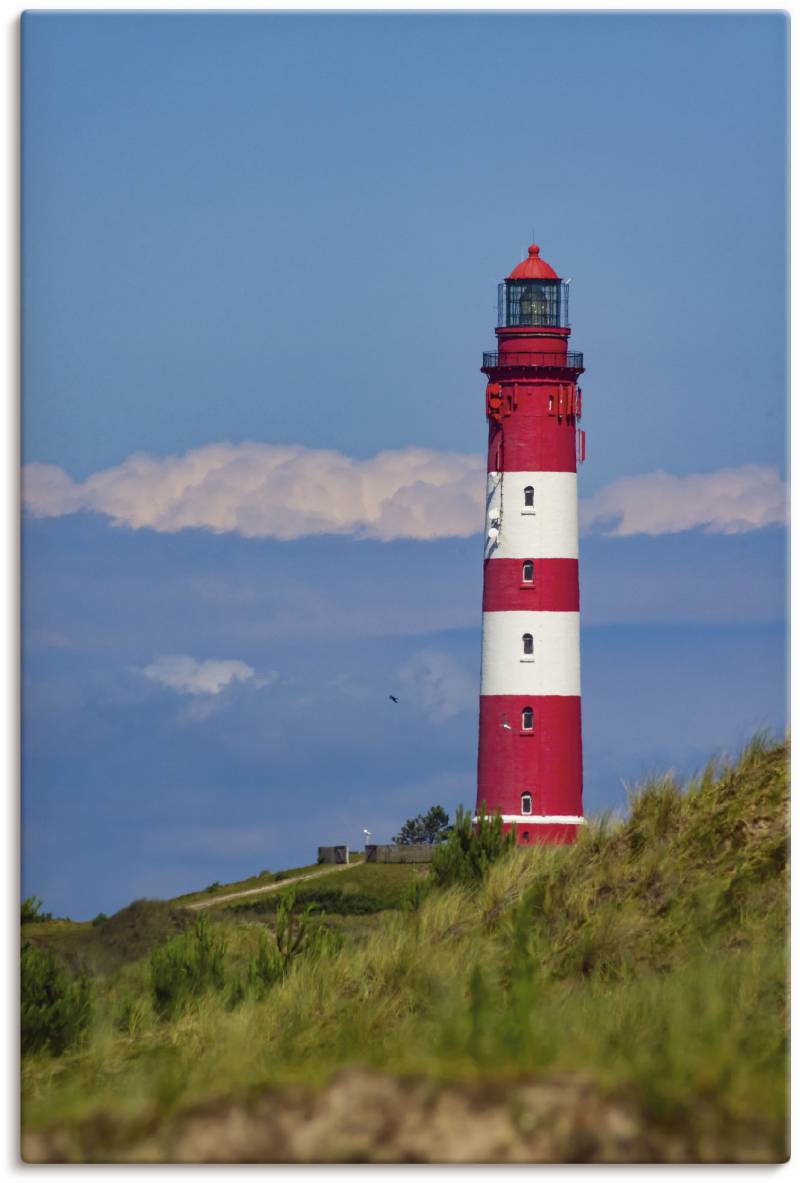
(730, 501)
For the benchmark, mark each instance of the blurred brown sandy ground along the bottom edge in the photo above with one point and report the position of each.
(364, 1117)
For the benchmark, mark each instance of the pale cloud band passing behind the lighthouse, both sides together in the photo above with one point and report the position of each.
(286, 493)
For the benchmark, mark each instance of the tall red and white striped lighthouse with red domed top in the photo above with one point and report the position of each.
(530, 741)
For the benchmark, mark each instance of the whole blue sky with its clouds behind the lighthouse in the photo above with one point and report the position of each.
(286, 232)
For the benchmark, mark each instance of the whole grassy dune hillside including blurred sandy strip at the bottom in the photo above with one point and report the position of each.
(622, 1000)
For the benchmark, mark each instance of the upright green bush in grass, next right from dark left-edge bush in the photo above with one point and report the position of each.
(186, 968)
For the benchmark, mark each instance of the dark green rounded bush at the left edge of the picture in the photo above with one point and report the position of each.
(56, 1009)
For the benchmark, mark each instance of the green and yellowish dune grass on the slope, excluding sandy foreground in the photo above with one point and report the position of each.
(651, 958)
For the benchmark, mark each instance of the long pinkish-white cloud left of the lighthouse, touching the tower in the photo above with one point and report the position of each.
(269, 492)
